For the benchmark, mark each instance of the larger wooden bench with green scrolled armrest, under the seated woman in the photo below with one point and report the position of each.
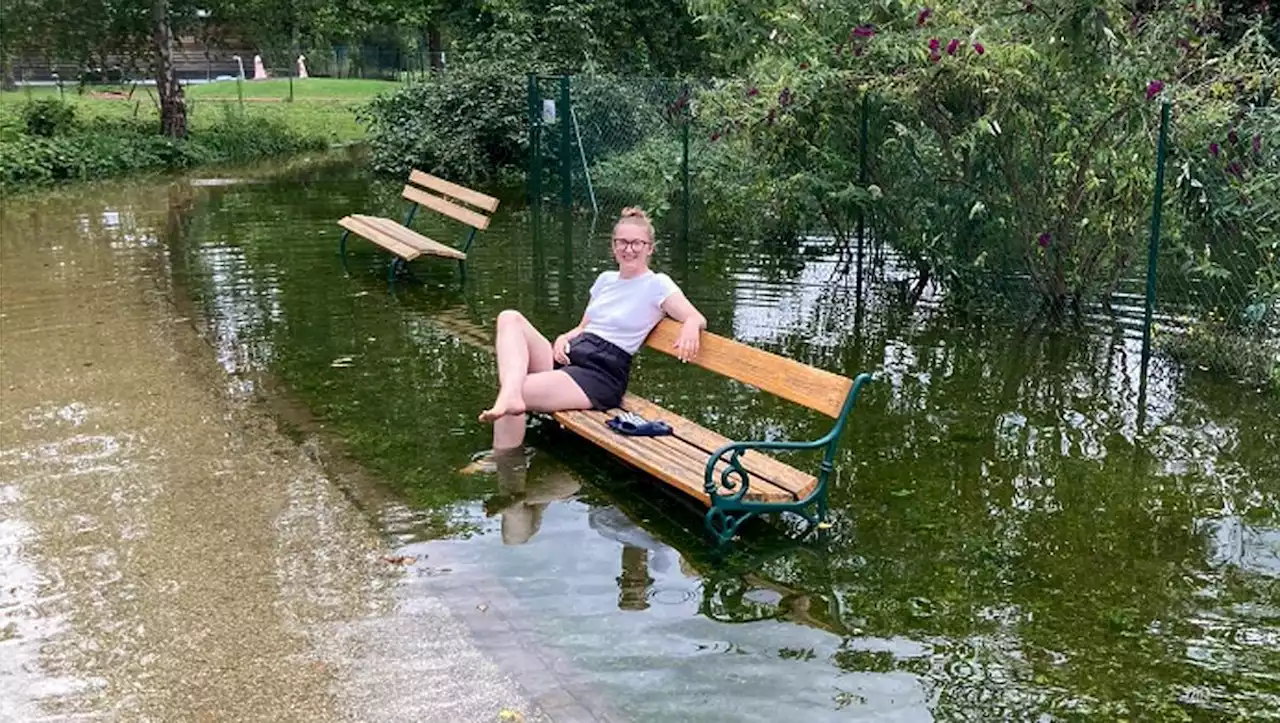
(737, 481)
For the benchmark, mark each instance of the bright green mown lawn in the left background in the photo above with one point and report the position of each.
(322, 107)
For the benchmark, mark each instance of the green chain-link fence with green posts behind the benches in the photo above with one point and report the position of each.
(993, 231)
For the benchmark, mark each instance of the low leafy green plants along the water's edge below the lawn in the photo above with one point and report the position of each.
(108, 150)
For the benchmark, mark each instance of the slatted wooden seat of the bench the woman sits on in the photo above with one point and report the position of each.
(680, 460)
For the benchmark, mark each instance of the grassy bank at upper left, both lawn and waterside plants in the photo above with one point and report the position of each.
(112, 131)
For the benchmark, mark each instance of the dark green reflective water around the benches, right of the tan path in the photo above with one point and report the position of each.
(1009, 538)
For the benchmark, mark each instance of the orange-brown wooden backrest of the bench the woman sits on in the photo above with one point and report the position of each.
(803, 385)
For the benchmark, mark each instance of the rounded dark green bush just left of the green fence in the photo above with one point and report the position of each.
(469, 123)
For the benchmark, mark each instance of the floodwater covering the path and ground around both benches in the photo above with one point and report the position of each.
(1014, 536)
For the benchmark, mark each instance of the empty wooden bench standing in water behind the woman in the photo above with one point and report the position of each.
(406, 244)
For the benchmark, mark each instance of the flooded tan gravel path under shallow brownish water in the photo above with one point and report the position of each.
(166, 552)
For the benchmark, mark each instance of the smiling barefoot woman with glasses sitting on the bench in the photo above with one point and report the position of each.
(588, 367)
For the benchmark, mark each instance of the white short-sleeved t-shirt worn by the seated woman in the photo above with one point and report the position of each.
(624, 312)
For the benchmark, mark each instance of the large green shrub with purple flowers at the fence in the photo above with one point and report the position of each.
(1002, 145)
